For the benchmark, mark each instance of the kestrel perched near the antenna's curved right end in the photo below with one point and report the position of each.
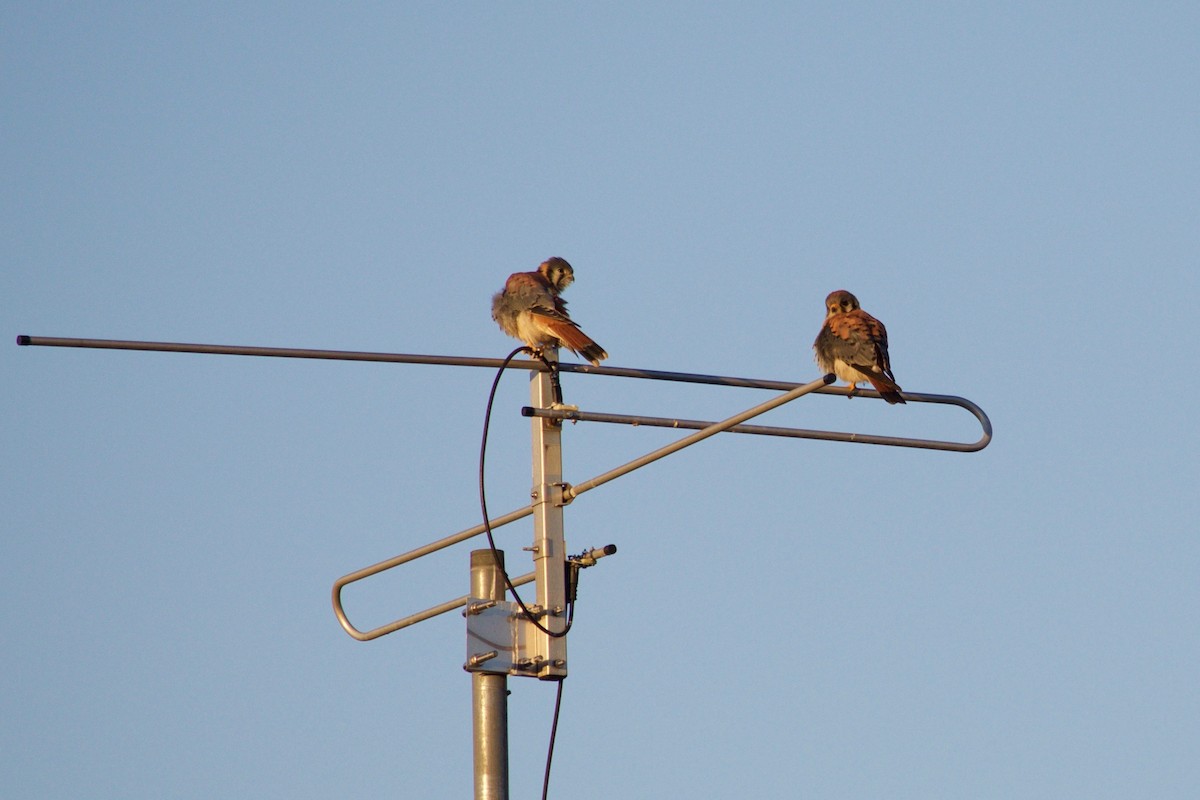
(854, 346)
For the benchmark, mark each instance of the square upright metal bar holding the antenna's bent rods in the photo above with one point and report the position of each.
(549, 543)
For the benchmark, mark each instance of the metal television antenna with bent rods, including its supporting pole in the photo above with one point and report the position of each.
(502, 639)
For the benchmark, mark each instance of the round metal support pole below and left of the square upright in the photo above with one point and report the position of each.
(490, 693)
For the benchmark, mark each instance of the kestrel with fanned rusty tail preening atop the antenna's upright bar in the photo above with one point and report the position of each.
(530, 309)
